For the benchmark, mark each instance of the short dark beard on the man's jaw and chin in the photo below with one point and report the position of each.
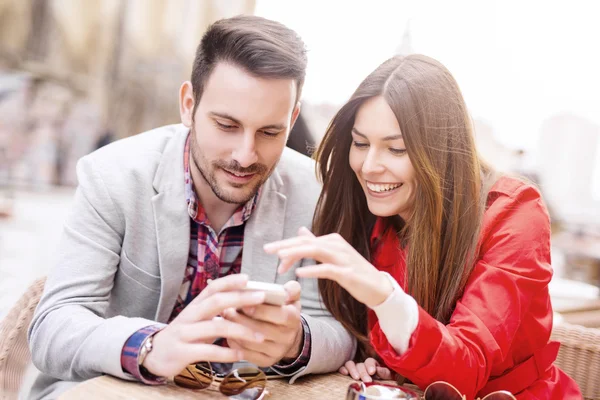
(207, 170)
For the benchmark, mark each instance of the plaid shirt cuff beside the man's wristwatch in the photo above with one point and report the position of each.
(130, 355)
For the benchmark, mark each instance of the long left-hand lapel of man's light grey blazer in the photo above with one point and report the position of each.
(172, 223)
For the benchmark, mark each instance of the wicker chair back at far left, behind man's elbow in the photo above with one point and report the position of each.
(14, 350)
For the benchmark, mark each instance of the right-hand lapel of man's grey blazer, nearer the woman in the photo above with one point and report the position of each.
(265, 225)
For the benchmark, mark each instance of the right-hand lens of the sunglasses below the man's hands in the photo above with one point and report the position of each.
(246, 383)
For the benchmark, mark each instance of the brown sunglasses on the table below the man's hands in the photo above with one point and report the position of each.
(245, 383)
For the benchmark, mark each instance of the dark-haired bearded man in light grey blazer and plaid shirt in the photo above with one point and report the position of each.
(159, 215)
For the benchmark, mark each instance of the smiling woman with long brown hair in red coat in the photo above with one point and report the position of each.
(426, 255)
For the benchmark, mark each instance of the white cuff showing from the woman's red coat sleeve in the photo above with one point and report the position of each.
(398, 317)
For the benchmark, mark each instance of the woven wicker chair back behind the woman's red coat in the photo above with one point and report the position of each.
(579, 356)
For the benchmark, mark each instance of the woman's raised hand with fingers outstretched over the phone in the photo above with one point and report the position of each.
(340, 263)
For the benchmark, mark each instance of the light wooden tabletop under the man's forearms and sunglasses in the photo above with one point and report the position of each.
(330, 386)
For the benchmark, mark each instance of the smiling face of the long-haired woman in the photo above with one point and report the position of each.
(379, 159)
